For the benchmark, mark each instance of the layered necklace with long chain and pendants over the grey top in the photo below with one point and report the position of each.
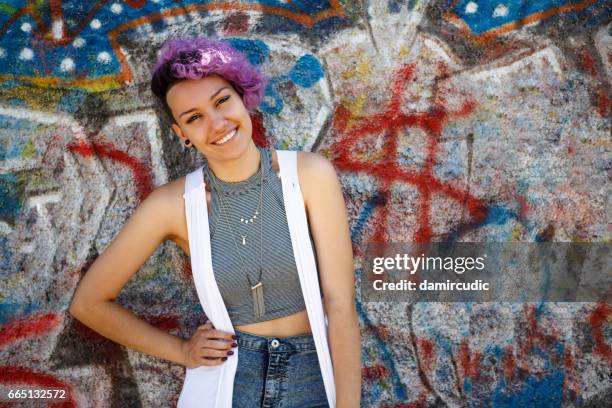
(257, 287)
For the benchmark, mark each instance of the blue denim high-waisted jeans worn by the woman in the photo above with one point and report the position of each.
(277, 372)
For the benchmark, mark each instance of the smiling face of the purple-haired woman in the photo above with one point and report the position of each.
(210, 113)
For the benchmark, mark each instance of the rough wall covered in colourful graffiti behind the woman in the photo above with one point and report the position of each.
(446, 121)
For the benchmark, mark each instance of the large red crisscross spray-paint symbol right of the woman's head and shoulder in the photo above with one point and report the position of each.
(387, 170)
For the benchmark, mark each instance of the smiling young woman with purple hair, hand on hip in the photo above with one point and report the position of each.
(283, 328)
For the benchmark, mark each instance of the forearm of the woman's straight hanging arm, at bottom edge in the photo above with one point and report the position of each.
(345, 344)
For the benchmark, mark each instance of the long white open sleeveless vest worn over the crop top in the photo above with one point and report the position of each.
(213, 386)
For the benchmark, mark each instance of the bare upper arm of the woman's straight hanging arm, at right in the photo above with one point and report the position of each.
(328, 222)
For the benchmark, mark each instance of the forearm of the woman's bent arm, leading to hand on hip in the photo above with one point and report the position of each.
(122, 326)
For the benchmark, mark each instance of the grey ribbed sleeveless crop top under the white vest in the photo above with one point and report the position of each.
(282, 291)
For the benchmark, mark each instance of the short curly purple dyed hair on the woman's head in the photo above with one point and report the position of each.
(196, 58)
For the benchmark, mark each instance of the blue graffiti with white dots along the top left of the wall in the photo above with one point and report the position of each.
(79, 43)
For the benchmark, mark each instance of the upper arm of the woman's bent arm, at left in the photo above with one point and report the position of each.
(153, 222)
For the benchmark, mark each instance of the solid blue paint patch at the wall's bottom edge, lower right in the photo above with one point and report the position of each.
(545, 392)
